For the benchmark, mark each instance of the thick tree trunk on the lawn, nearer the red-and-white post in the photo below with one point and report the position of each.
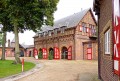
(17, 51)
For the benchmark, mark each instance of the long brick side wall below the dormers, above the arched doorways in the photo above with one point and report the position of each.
(61, 40)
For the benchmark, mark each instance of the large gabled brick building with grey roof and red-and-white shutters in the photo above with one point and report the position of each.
(73, 37)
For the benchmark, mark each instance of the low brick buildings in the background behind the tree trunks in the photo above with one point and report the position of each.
(25, 50)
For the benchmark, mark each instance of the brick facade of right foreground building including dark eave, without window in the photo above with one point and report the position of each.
(103, 9)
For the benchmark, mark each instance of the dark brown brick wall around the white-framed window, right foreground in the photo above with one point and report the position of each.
(105, 23)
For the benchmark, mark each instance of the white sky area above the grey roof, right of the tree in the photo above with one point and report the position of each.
(68, 7)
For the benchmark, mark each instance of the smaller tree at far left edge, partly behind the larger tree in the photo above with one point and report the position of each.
(5, 21)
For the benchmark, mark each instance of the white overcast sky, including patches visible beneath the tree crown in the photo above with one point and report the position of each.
(64, 8)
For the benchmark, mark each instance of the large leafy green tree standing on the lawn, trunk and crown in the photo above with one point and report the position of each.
(27, 15)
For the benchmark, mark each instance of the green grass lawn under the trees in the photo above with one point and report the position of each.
(7, 68)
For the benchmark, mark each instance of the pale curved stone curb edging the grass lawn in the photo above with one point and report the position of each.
(23, 74)
